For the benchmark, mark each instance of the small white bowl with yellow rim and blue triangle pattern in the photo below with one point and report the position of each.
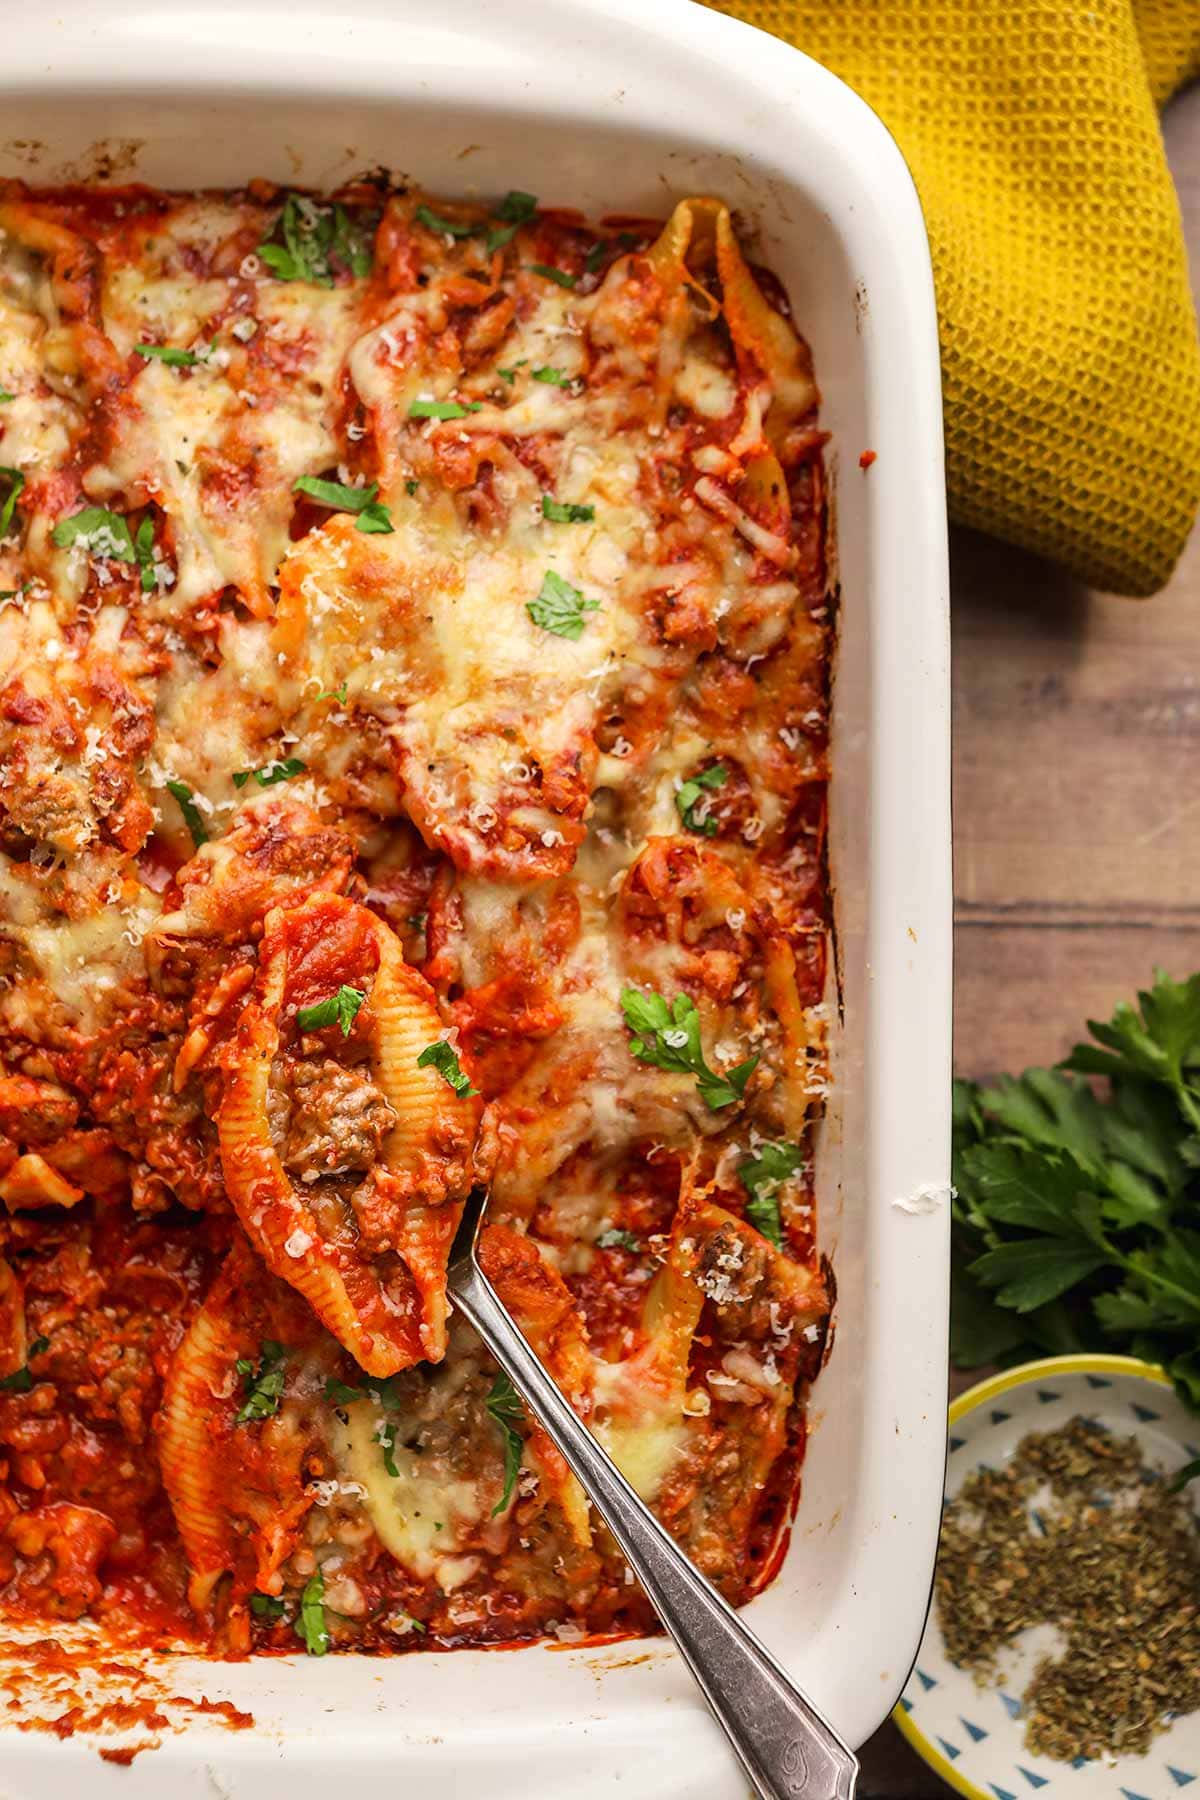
(974, 1738)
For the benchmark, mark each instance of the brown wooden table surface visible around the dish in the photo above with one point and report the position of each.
(1077, 811)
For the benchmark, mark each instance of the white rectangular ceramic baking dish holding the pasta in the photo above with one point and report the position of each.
(623, 105)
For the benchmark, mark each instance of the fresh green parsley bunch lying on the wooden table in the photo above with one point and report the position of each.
(1077, 1221)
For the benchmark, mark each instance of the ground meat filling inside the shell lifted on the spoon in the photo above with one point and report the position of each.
(330, 1122)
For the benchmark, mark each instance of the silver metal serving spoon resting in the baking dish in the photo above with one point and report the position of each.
(780, 1738)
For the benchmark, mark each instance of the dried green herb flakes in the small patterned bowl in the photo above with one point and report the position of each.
(1077, 1533)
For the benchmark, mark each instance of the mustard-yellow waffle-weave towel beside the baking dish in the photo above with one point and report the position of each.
(1068, 334)
